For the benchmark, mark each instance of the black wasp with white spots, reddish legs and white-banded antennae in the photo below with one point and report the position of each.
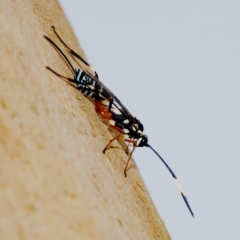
(109, 107)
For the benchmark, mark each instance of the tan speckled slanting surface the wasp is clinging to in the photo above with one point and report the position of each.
(55, 182)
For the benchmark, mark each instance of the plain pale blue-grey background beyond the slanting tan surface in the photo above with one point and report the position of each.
(175, 65)
